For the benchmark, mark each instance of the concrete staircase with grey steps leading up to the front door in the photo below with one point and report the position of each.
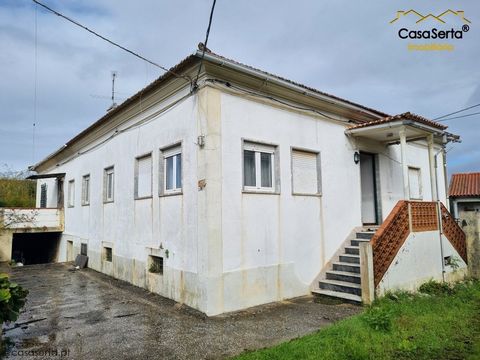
(342, 277)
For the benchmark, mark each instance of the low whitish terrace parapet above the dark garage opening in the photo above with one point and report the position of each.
(31, 219)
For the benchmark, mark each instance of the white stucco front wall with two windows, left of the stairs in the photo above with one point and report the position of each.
(274, 245)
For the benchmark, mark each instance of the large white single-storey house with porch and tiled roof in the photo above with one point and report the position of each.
(244, 188)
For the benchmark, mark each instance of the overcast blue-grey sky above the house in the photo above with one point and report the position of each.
(347, 48)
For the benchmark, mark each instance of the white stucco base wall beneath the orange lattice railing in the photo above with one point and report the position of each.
(419, 260)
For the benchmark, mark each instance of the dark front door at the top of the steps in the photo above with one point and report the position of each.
(368, 187)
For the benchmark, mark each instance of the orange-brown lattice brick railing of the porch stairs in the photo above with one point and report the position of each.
(407, 217)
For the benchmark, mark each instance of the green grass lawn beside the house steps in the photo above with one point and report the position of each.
(440, 322)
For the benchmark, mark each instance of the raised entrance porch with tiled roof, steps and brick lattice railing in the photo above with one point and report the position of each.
(407, 235)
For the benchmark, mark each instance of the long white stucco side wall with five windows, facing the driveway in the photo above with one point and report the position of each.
(137, 228)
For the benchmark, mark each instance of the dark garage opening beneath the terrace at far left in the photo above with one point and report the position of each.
(35, 248)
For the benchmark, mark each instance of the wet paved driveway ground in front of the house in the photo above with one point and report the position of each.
(88, 315)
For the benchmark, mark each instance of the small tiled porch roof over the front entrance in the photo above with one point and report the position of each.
(388, 128)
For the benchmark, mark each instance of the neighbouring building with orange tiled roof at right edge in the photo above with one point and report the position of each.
(464, 193)
